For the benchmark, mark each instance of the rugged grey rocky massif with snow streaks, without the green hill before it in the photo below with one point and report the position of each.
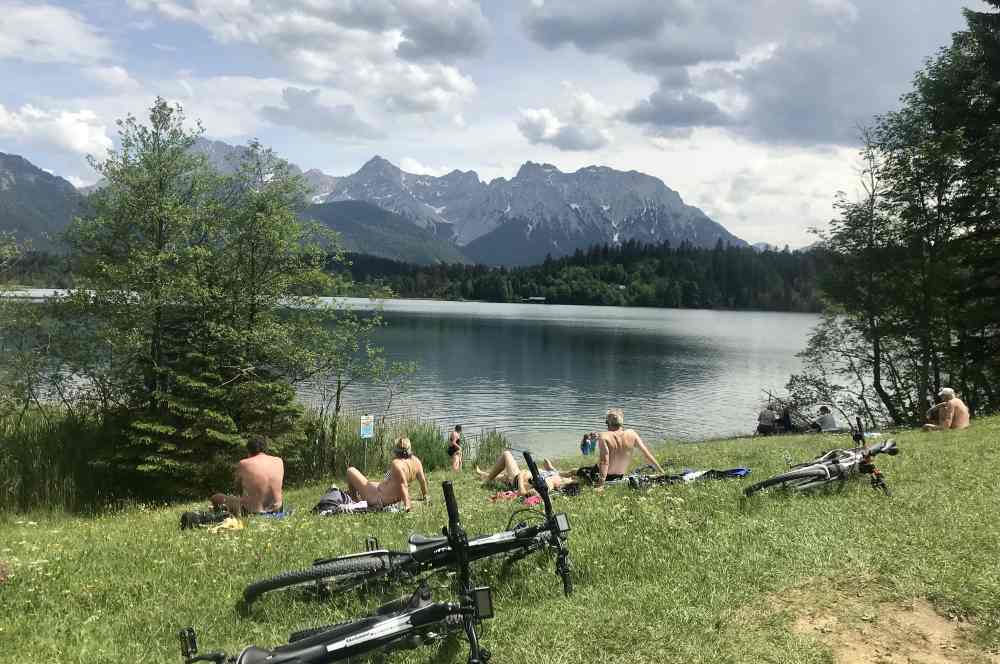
(539, 211)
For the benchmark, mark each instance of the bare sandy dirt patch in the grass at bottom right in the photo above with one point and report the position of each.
(860, 631)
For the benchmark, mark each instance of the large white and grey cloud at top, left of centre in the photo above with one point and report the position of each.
(399, 51)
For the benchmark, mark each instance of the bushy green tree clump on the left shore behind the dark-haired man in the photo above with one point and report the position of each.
(191, 285)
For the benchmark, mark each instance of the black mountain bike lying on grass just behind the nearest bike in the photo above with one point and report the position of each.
(336, 575)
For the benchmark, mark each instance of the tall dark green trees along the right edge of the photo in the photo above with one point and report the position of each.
(914, 260)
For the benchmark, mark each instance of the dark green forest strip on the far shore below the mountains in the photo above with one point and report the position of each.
(632, 274)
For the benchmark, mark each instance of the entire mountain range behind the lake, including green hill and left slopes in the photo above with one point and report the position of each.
(385, 211)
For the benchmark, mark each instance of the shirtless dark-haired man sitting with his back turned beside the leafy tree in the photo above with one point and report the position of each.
(259, 478)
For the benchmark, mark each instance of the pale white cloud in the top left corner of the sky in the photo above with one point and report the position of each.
(38, 32)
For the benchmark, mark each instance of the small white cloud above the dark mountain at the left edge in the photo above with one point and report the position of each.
(81, 132)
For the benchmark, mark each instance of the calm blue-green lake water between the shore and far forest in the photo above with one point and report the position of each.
(545, 374)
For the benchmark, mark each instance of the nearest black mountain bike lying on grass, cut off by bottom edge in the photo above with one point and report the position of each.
(403, 624)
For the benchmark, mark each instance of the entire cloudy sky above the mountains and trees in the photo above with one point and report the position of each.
(748, 109)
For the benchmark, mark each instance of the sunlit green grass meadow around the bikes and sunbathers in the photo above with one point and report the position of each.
(675, 574)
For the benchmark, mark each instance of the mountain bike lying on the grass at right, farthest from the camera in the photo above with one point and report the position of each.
(835, 465)
